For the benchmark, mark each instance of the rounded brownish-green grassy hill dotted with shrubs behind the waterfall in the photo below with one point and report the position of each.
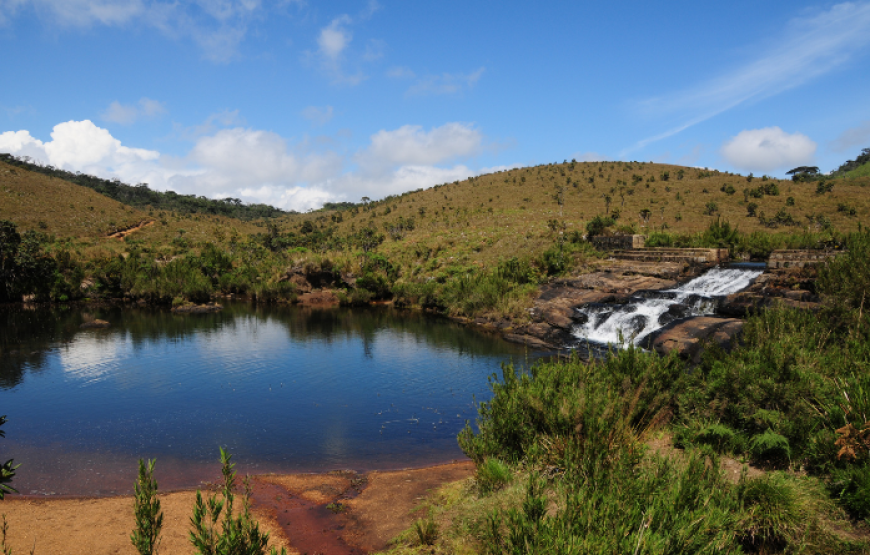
(481, 220)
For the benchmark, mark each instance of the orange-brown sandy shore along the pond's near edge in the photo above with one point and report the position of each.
(368, 511)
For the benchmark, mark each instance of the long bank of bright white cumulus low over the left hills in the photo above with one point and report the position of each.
(261, 166)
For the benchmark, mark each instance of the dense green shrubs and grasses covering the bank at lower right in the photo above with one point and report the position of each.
(574, 457)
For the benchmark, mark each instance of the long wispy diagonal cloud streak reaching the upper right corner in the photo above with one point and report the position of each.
(809, 48)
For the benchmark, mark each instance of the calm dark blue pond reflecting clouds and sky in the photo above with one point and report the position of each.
(286, 389)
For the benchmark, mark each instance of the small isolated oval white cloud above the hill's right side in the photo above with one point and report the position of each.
(768, 149)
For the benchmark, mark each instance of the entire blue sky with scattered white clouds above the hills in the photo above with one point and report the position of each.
(296, 103)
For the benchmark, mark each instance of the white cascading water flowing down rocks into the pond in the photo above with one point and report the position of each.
(621, 324)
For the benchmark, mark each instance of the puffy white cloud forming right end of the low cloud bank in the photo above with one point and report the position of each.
(410, 145)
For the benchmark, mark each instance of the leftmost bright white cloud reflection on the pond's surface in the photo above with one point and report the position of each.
(92, 358)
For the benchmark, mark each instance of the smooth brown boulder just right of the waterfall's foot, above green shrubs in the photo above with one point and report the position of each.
(689, 337)
